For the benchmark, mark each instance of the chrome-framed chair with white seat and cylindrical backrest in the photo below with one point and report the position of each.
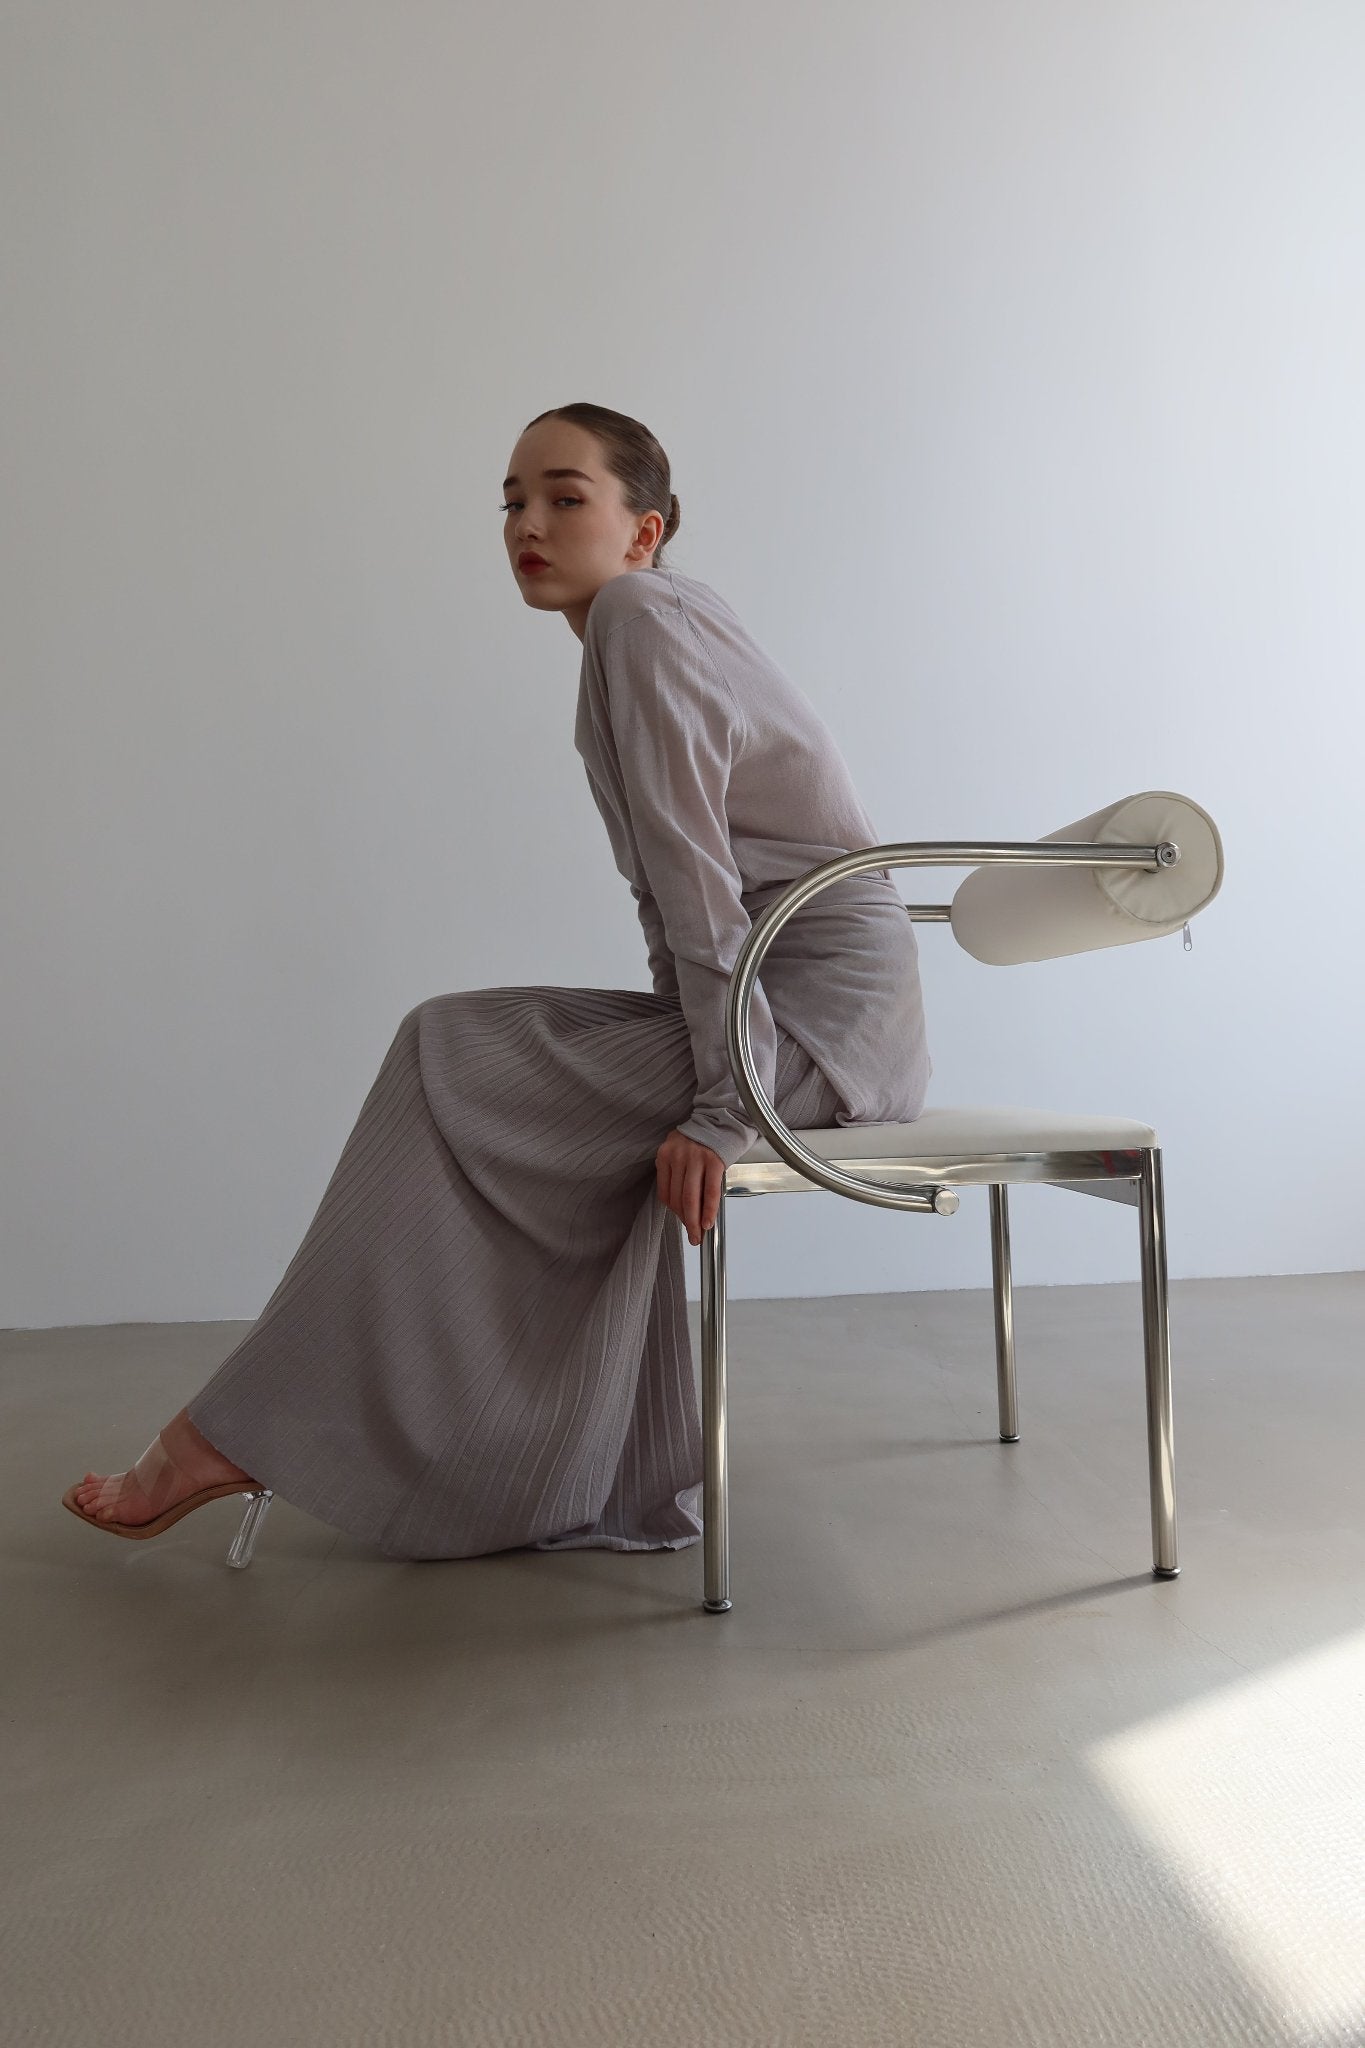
(1024, 900)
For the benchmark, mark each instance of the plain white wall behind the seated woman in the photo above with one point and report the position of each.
(1010, 364)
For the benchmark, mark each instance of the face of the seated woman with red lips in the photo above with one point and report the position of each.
(576, 523)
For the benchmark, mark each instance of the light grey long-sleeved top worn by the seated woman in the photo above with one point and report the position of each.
(719, 785)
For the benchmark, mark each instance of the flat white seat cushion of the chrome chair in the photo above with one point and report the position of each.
(969, 1136)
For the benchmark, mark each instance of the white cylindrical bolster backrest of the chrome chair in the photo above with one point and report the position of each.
(1006, 916)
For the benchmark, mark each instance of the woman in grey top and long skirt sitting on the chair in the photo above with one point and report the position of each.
(484, 1340)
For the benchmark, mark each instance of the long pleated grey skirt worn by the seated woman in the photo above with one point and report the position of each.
(484, 1342)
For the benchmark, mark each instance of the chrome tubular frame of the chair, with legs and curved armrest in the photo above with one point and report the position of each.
(928, 1187)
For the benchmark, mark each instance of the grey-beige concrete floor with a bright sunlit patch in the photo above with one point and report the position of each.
(955, 1770)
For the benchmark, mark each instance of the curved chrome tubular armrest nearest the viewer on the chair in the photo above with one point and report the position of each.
(899, 855)
